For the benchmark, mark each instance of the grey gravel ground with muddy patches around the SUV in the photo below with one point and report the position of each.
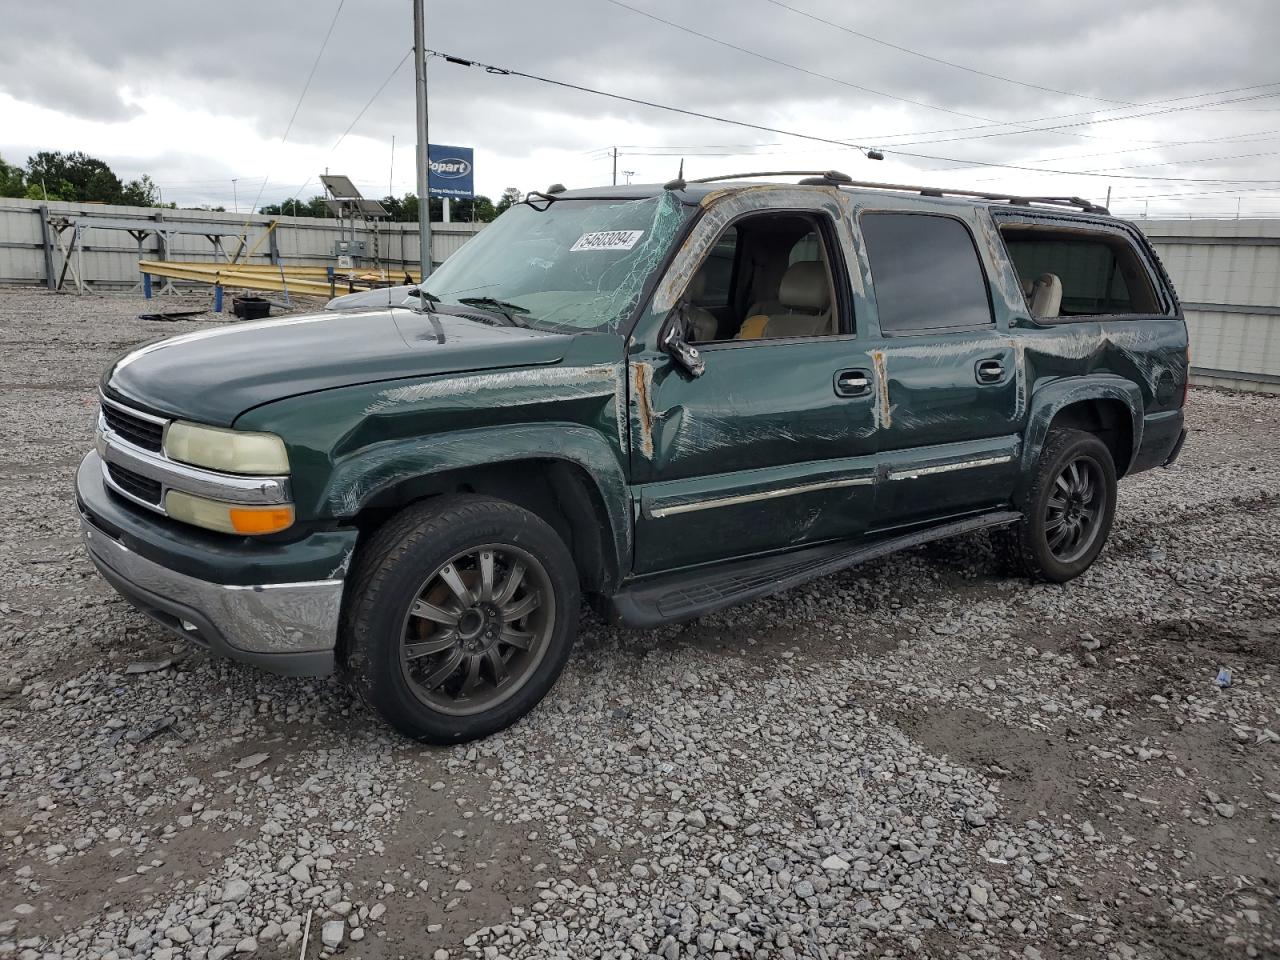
(917, 758)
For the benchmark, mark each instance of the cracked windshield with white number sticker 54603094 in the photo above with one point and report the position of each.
(575, 266)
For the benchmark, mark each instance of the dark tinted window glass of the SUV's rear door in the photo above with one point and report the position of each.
(926, 273)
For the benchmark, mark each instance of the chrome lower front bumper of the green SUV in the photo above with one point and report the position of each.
(290, 629)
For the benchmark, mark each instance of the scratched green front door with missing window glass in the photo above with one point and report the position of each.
(774, 447)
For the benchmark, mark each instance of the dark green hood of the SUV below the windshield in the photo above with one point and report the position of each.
(213, 377)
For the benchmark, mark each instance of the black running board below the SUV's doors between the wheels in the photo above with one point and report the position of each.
(669, 598)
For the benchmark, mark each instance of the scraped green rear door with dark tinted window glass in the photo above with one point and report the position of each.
(952, 412)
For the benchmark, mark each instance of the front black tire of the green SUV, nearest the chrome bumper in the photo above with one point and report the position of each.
(381, 619)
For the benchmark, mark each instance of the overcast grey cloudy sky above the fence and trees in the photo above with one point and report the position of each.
(199, 95)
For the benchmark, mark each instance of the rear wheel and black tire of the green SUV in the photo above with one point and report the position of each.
(1037, 546)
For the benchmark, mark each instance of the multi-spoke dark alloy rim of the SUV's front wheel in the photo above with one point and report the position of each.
(477, 629)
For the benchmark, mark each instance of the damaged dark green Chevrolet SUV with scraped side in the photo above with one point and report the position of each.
(666, 400)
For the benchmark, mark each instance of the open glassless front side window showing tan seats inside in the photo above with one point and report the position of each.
(767, 277)
